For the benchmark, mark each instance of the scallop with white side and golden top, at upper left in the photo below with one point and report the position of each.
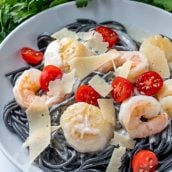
(59, 53)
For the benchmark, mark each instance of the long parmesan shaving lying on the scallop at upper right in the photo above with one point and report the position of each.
(156, 58)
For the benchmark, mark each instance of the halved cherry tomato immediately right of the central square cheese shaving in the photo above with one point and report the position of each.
(122, 89)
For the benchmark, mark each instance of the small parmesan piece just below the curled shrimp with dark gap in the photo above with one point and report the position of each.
(122, 140)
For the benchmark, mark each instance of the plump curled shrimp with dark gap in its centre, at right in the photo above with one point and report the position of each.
(141, 116)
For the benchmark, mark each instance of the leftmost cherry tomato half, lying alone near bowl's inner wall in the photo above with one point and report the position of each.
(31, 56)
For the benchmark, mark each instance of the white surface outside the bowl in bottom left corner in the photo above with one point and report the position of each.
(6, 165)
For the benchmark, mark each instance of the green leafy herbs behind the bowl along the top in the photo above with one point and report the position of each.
(14, 12)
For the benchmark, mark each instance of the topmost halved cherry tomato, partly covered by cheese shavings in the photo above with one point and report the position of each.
(108, 35)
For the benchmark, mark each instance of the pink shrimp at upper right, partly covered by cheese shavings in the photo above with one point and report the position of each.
(139, 64)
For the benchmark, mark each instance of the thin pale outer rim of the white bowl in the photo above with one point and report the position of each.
(144, 5)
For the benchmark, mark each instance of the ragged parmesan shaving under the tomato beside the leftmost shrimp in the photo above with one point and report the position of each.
(61, 87)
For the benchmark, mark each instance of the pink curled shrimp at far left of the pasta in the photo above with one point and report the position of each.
(26, 87)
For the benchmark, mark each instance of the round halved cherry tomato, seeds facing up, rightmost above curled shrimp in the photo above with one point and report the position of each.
(149, 83)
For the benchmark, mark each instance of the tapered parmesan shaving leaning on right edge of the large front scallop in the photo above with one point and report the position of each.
(107, 110)
